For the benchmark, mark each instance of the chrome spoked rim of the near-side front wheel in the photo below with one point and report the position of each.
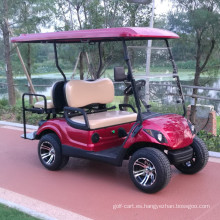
(144, 172)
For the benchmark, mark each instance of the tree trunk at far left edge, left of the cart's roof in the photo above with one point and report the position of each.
(9, 74)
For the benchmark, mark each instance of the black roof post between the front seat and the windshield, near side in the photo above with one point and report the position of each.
(132, 80)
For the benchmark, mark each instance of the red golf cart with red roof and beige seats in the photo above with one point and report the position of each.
(81, 123)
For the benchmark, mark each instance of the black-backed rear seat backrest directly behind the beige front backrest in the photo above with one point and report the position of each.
(58, 96)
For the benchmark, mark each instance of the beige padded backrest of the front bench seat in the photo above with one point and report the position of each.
(80, 93)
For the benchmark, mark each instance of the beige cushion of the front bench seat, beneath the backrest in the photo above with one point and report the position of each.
(106, 119)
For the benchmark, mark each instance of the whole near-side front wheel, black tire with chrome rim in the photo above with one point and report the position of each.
(156, 172)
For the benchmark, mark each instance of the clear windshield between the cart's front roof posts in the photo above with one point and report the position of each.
(153, 72)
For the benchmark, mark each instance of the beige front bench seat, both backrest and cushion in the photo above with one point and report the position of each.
(81, 93)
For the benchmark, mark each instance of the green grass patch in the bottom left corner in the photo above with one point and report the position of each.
(7, 213)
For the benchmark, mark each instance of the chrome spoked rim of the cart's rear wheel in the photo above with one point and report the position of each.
(47, 153)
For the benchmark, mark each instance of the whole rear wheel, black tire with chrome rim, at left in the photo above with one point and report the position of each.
(50, 154)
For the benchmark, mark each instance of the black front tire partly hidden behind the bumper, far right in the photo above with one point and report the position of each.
(199, 160)
